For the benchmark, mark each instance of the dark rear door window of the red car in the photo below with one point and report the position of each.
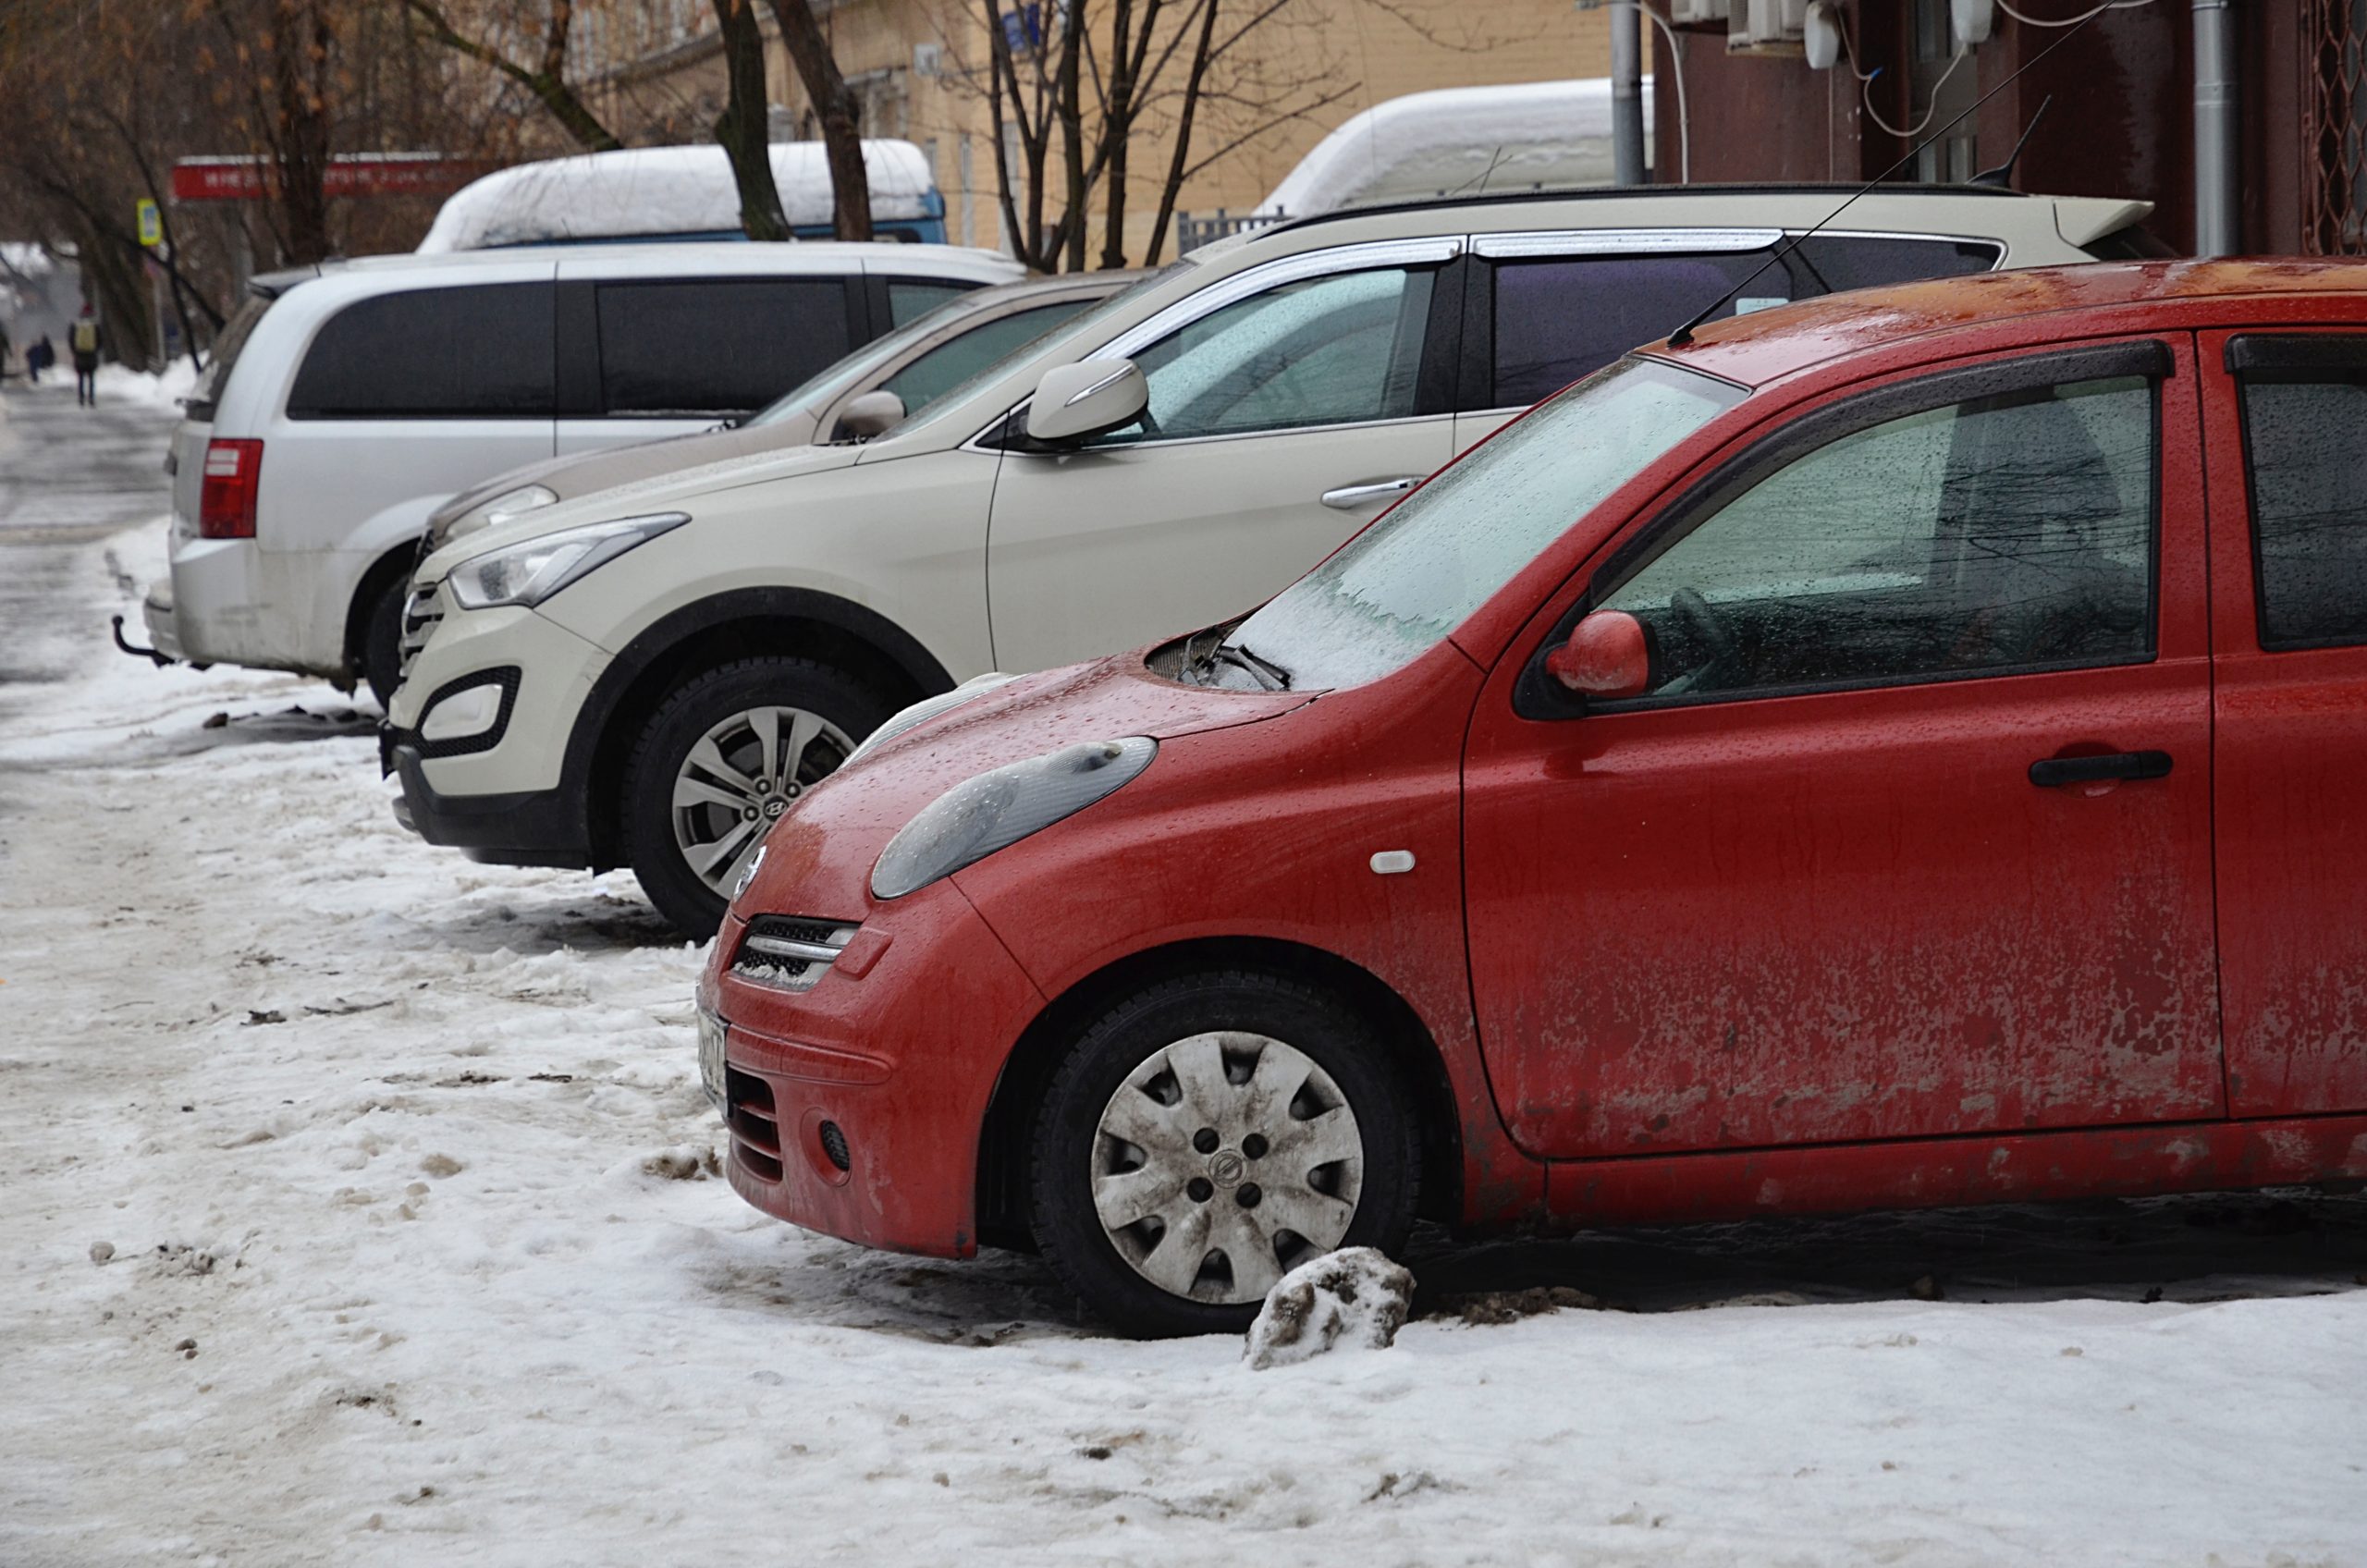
(2309, 508)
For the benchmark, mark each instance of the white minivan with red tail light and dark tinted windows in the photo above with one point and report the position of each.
(349, 401)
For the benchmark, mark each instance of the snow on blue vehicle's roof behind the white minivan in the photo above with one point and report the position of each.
(662, 191)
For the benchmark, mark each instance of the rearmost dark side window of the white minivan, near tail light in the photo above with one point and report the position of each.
(479, 352)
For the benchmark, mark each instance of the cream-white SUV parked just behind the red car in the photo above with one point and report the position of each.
(1168, 461)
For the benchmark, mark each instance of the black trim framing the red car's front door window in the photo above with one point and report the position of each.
(1540, 698)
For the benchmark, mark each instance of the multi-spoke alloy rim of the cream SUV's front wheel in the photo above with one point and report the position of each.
(740, 778)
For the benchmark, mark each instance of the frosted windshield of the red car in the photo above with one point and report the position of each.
(1414, 577)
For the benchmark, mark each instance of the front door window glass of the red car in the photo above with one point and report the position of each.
(1987, 536)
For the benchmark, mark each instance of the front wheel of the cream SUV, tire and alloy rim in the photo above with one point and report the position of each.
(721, 761)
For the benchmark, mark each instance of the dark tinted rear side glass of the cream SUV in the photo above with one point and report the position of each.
(1571, 316)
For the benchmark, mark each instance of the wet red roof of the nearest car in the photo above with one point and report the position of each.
(1769, 345)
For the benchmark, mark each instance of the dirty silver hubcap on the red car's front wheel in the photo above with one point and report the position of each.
(1223, 1162)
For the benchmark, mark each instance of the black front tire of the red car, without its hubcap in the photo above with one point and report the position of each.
(1142, 1027)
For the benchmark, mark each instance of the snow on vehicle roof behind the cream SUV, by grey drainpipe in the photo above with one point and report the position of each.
(1459, 141)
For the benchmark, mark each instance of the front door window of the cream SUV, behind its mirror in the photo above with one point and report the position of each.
(1320, 352)
